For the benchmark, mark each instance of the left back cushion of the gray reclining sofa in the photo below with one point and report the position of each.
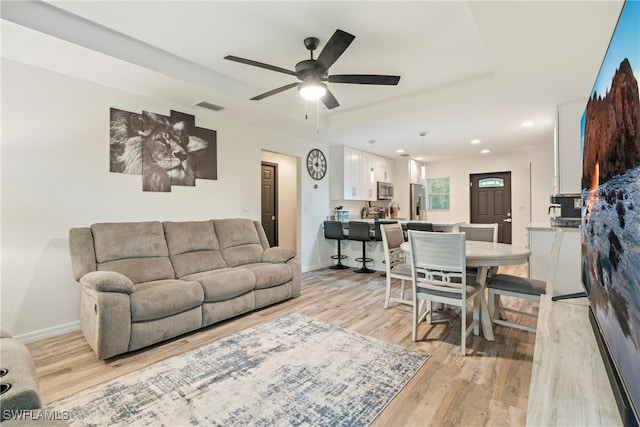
(136, 249)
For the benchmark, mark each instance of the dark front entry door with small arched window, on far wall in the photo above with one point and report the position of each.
(491, 201)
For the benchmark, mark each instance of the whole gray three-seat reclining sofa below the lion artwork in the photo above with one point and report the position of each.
(145, 282)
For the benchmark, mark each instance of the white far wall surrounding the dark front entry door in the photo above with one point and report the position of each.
(522, 190)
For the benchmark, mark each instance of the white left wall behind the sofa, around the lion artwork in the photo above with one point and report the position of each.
(55, 176)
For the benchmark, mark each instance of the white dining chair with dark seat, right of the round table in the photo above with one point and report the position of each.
(521, 287)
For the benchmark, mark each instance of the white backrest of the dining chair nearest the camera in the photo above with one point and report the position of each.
(438, 263)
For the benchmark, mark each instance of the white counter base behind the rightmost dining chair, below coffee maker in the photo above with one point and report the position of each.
(568, 274)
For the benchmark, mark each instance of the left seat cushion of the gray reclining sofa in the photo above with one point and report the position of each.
(162, 298)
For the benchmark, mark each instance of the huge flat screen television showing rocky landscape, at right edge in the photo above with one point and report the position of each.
(610, 217)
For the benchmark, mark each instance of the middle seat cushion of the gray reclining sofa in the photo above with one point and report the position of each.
(224, 284)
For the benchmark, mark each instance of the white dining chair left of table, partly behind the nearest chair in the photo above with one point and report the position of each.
(395, 264)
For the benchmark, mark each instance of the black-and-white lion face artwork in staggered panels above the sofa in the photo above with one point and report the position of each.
(165, 150)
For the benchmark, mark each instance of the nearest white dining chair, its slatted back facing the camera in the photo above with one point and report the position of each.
(438, 264)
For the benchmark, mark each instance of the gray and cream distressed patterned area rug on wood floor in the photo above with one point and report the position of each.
(292, 370)
